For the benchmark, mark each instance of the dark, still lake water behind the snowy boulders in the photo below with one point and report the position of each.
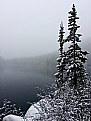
(20, 87)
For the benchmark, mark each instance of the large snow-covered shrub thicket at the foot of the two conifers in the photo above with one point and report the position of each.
(66, 104)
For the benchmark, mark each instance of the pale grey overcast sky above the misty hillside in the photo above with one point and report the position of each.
(30, 27)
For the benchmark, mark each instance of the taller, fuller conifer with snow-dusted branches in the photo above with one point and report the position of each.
(76, 72)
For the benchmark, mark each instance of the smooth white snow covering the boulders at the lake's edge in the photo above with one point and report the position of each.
(34, 112)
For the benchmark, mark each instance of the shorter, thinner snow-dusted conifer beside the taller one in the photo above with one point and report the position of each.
(61, 60)
